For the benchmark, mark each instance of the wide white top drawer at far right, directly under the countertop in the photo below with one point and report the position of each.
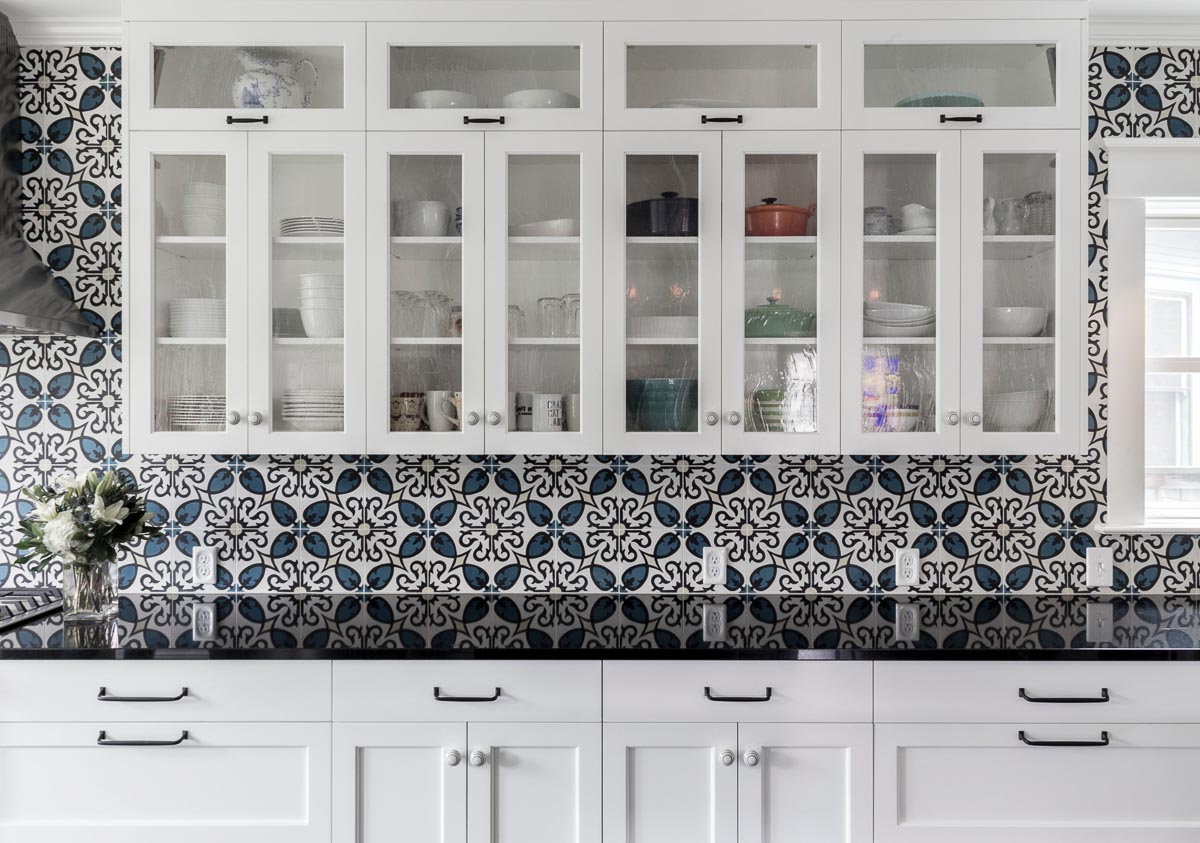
(991, 692)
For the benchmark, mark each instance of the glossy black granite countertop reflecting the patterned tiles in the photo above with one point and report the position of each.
(623, 627)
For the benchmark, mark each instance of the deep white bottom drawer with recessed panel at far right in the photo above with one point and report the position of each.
(983, 784)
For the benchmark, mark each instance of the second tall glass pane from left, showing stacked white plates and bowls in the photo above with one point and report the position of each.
(308, 292)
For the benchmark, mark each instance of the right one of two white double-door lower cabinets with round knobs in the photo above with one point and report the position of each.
(730, 782)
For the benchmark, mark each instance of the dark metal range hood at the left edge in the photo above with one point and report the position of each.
(31, 300)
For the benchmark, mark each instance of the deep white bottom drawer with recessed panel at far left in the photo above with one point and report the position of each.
(149, 784)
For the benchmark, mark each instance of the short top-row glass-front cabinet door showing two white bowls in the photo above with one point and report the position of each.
(485, 76)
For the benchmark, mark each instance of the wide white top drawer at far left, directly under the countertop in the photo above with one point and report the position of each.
(217, 691)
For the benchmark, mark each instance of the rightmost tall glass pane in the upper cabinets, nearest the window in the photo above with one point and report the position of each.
(1019, 292)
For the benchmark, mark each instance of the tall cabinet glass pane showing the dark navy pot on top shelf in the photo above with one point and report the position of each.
(662, 292)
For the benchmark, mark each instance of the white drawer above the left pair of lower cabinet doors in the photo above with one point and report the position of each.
(464, 691)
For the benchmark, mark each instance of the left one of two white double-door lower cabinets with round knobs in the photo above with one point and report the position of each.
(467, 782)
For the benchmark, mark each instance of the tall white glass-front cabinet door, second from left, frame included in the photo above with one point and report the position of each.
(307, 292)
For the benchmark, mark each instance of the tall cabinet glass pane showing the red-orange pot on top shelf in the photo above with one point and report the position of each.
(781, 330)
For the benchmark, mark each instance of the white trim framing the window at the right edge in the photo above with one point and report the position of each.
(1139, 170)
